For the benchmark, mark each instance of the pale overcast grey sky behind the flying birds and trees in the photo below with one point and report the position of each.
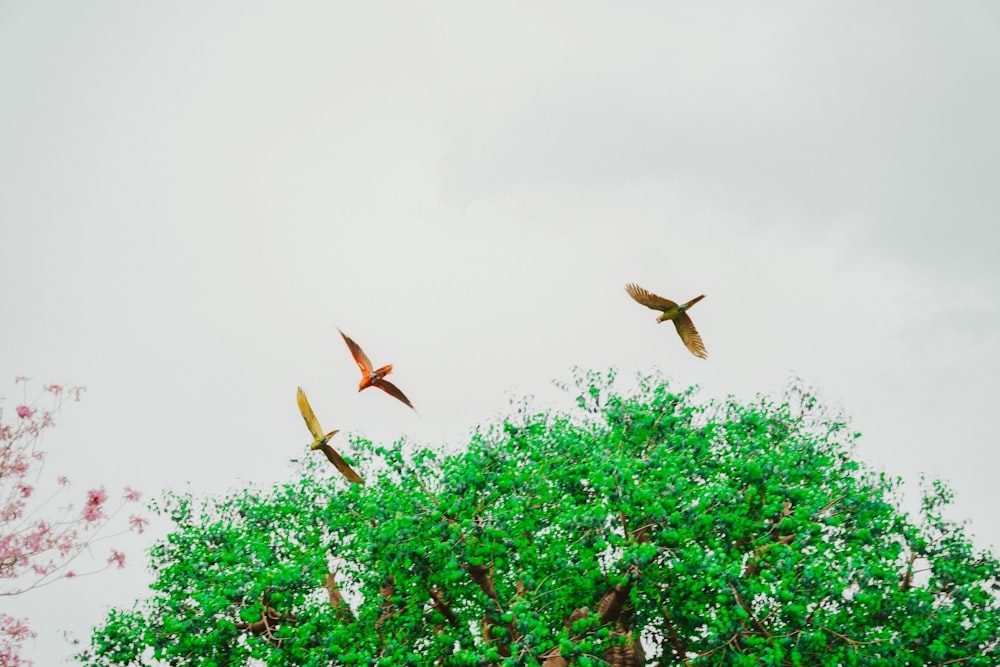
(195, 196)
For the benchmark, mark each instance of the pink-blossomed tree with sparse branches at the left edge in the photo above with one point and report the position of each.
(40, 539)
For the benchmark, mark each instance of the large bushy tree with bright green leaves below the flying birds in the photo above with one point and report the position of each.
(640, 528)
